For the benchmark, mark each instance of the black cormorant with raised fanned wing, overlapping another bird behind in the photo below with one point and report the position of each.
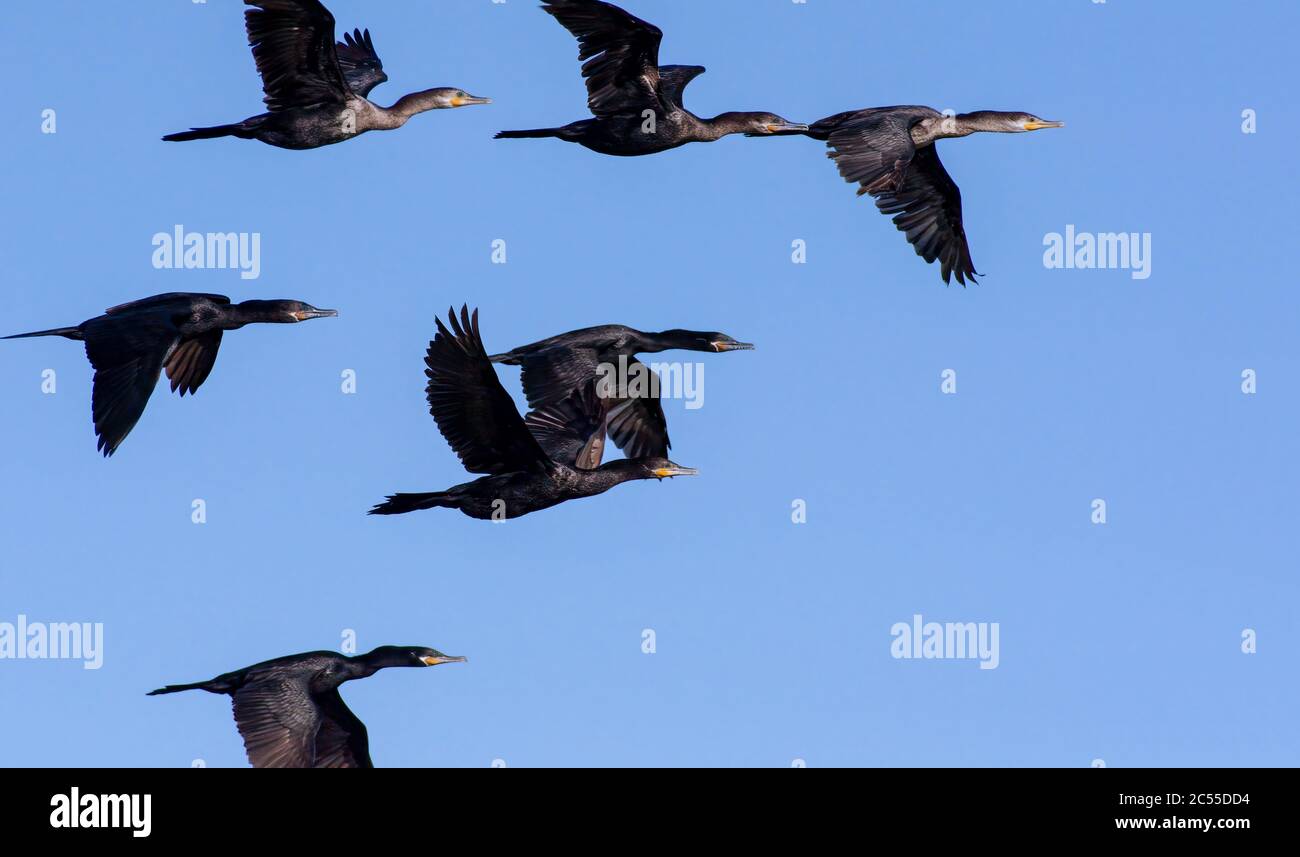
(525, 473)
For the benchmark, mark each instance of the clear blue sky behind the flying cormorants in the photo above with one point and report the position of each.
(1119, 642)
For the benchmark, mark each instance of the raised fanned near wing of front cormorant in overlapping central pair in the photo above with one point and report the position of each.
(473, 409)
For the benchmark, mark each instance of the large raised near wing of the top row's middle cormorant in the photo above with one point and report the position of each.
(621, 54)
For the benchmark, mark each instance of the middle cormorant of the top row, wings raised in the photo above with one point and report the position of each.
(638, 102)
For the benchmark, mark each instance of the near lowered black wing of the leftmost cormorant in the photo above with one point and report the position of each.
(128, 354)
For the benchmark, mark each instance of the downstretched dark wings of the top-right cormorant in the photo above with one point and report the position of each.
(874, 150)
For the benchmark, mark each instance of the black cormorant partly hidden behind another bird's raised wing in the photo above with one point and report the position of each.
(554, 369)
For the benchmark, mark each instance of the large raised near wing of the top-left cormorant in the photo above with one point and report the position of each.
(293, 42)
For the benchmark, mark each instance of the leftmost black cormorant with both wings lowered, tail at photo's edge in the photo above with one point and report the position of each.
(133, 344)
